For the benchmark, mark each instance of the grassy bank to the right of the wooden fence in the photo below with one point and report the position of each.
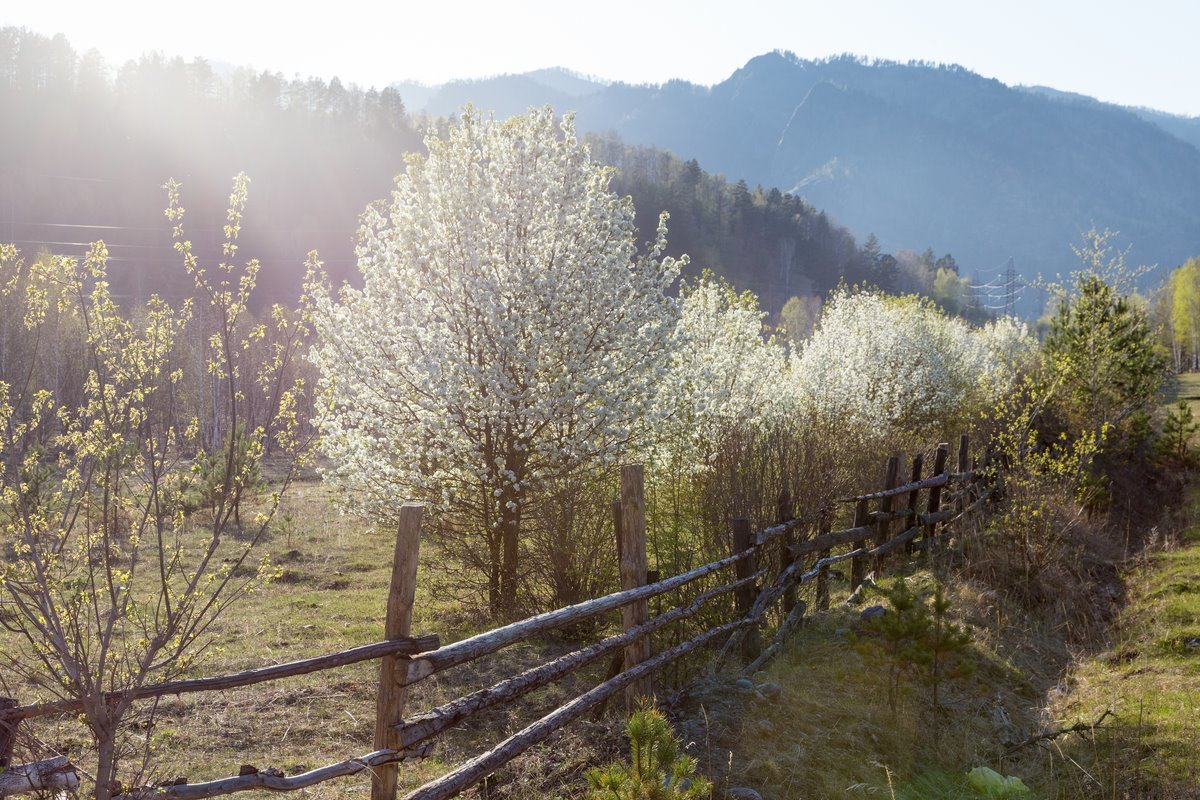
(831, 735)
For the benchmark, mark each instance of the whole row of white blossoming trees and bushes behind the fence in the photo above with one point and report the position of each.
(509, 335)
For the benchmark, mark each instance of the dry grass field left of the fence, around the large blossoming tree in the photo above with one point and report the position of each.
(332, 596)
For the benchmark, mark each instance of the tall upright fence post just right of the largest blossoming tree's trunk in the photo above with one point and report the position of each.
(633, 574)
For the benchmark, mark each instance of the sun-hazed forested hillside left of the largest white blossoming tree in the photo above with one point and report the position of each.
(83, 157)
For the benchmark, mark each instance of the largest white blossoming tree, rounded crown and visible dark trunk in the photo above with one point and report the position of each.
(506, 335)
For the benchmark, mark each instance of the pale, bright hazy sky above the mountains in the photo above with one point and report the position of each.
(1139, 53)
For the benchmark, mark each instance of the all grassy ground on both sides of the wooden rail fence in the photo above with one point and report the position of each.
(829, 735)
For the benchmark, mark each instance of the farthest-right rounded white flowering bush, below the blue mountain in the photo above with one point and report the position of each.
(898, 365)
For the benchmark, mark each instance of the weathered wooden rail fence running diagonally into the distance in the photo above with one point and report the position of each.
(908, 518)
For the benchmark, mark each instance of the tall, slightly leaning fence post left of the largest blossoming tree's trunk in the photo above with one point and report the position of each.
(394, 670)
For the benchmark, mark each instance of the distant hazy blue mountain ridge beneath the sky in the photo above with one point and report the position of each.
(919, 154)
